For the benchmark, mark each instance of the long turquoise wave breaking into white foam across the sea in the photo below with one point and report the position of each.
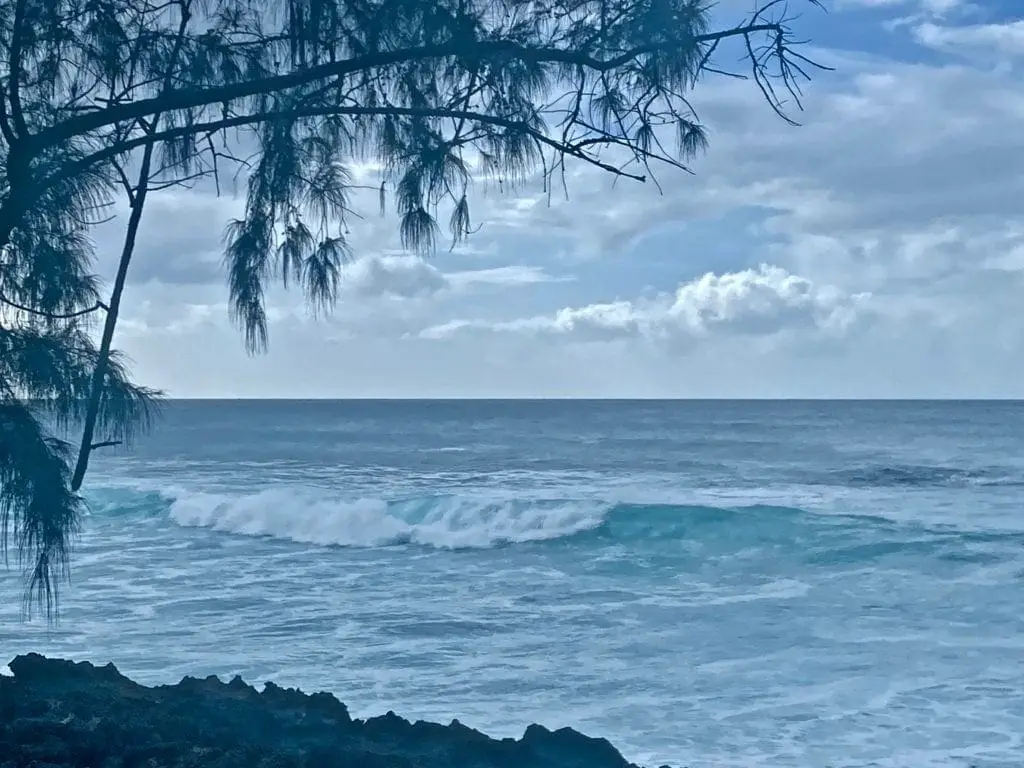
(322, 519)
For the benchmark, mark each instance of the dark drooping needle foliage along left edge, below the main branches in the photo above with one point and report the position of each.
(49, 303)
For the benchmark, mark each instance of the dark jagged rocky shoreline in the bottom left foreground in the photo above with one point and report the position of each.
(59, 714)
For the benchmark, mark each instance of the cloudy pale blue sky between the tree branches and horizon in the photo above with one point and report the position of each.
(877, 250)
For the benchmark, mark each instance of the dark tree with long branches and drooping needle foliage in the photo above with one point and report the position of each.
(439, 93)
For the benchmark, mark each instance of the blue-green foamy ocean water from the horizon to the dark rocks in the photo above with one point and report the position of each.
(705, 584)
